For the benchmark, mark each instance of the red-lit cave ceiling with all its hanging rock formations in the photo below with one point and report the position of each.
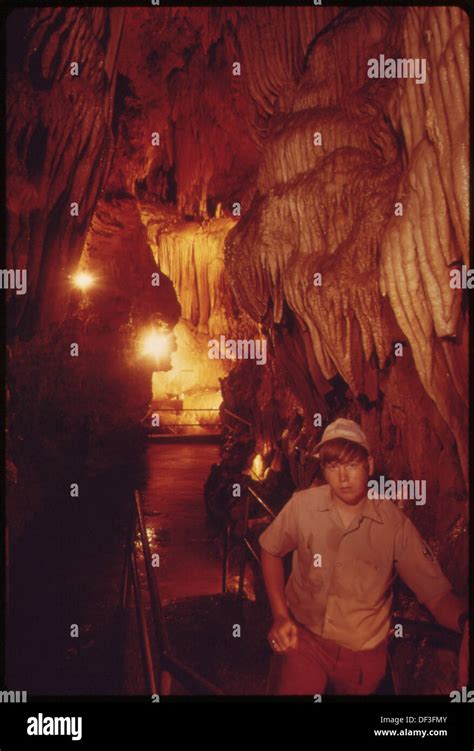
(316, 153)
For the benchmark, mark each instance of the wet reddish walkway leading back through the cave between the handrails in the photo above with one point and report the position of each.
(200, 620)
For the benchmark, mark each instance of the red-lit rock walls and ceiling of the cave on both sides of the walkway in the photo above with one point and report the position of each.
(305, 208)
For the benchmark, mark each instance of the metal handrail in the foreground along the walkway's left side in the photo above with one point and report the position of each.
(164, 665)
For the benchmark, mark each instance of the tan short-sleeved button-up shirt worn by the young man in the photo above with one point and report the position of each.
(347, 596)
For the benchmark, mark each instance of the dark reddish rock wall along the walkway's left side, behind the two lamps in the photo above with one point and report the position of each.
(73, 416)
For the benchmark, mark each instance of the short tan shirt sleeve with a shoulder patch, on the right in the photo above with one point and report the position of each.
(417, 565)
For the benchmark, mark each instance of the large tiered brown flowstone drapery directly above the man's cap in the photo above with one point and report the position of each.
(322, 209)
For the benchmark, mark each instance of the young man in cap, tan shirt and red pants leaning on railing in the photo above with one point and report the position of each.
(331, 622)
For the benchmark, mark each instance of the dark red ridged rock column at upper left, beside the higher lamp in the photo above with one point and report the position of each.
(55, 118)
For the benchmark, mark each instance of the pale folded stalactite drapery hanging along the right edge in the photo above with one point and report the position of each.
(419, 247)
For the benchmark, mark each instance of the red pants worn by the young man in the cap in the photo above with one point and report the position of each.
(317, 662)
